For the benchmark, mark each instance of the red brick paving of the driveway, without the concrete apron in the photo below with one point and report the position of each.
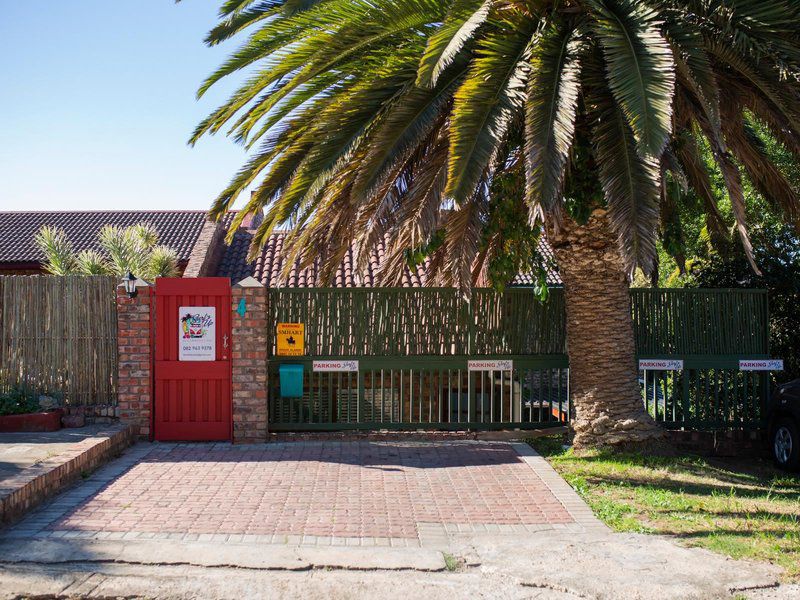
(380, 490)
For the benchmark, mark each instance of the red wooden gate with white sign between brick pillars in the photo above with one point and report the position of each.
(192, 391)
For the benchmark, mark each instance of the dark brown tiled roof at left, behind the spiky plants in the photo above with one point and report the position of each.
(176, 229)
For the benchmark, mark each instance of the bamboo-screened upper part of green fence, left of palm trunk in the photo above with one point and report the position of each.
(420, 321)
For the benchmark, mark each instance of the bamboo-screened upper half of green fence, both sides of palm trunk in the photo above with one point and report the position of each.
(438, 322)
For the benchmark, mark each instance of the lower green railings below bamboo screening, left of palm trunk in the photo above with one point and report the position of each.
(426, 393)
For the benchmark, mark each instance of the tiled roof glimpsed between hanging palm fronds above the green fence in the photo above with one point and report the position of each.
(267, 267)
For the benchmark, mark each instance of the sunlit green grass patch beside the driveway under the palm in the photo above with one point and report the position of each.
(743, 508)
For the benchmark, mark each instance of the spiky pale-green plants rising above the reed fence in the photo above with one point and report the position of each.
(132, 249)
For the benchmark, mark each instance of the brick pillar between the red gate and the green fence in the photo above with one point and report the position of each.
(249, 361)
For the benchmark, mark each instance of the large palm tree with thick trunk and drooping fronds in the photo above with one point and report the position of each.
(400, 117)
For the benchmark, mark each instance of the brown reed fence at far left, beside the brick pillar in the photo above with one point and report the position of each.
(58, 336)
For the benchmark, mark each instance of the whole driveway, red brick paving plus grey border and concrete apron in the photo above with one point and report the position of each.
(455, 519)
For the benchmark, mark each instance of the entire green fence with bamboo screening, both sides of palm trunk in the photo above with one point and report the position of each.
(413, 347)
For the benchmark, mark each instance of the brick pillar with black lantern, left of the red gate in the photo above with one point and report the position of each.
(134, 350)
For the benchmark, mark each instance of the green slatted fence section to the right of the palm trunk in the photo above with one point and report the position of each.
(710, 330)
